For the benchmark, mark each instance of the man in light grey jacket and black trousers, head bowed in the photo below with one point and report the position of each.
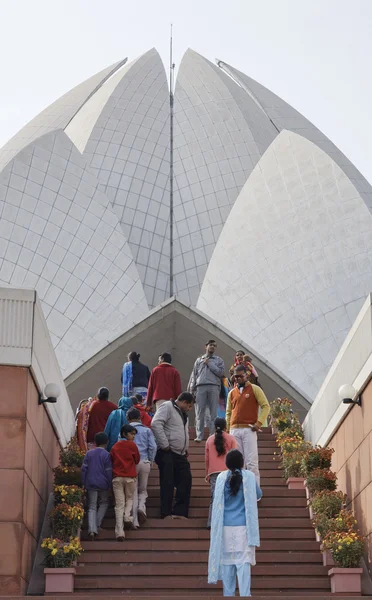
(170, 426)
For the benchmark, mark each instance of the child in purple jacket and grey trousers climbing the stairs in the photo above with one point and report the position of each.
(96, 473)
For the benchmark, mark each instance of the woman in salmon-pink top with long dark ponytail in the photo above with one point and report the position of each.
(216, 448)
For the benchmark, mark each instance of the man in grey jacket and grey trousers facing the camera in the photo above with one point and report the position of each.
(205, 383)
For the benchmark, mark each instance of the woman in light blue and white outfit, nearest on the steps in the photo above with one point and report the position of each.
(235, 531)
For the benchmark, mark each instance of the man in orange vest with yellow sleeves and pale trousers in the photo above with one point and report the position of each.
(243, 404)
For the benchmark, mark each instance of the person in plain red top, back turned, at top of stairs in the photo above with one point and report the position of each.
(165, 382)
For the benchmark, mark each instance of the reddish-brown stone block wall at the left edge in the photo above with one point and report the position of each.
(28, 451)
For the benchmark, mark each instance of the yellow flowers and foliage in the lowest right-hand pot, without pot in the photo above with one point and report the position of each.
(346, 548)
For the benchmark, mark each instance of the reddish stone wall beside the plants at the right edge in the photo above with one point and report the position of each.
(352, 462)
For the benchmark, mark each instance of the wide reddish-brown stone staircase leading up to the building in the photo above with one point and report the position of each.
(166, 558)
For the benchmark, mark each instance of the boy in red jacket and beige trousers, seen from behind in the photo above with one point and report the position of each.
(125, 456)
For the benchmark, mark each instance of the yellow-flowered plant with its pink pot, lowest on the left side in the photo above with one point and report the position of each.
(60, 558)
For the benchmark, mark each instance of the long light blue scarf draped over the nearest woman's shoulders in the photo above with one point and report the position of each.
(251, 515)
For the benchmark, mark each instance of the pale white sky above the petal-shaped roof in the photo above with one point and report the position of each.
(315, 54)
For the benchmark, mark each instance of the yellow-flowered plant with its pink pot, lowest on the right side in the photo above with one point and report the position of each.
(346, 548)
